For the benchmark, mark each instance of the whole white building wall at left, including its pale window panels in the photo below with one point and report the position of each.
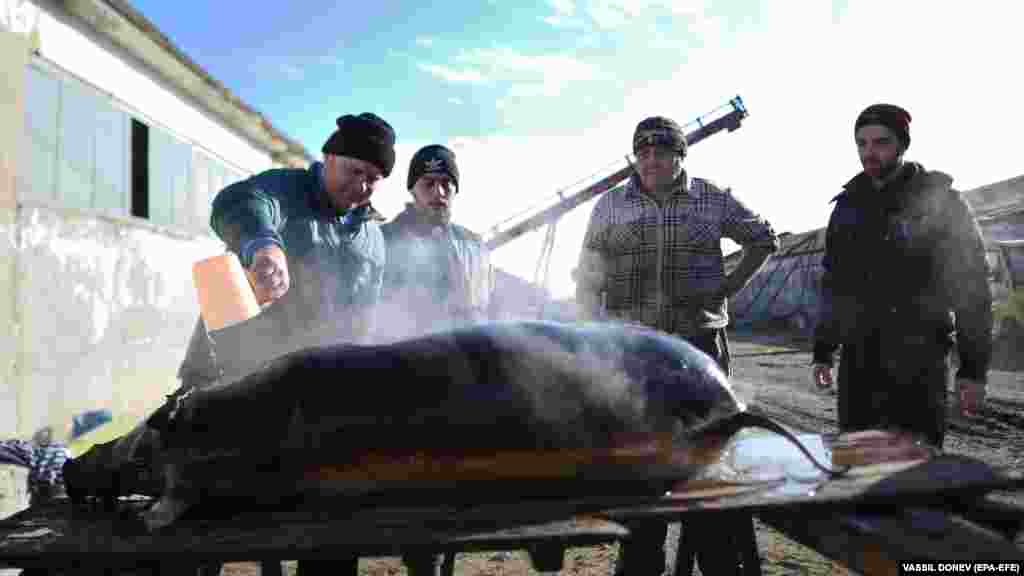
(97, 306)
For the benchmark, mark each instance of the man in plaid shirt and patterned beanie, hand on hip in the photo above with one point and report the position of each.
(653, 253)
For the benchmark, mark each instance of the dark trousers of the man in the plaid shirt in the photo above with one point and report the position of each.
(721, 545)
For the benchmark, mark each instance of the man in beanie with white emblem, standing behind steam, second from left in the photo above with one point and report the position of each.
(439, 274)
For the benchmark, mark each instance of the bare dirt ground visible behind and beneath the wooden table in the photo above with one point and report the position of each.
(773, 372)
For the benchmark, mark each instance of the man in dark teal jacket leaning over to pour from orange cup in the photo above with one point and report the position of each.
(312, 244)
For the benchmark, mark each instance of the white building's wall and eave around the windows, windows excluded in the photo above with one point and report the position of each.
(96, 310)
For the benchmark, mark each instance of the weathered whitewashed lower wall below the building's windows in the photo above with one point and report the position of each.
(106, 309)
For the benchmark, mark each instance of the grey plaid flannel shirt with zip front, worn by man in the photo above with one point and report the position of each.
(662, 266)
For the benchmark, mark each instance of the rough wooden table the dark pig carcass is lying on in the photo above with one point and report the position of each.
(888, 512)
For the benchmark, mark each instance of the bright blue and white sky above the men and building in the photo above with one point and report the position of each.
(537, 97)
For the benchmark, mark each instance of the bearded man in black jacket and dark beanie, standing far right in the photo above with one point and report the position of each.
(906, 278)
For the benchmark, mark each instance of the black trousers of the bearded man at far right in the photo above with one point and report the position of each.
(894, 382)
